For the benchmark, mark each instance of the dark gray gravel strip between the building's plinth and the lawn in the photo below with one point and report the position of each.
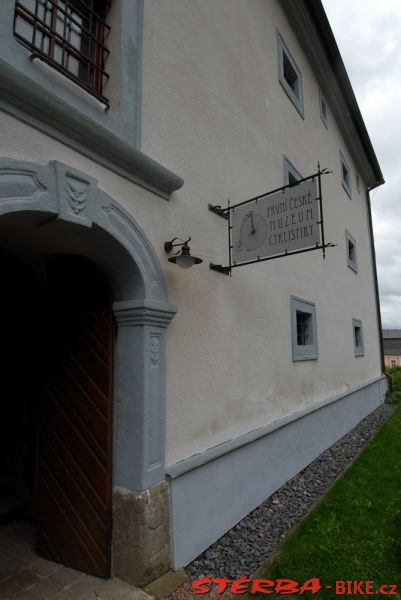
(243, 549)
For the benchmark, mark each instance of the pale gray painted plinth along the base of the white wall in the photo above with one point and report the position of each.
(207, 500)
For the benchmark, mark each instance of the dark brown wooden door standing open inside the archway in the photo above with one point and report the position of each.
(75, 445)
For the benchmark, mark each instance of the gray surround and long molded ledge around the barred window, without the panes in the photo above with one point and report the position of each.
(35, 93)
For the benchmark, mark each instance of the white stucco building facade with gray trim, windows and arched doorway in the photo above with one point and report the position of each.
(162, 404)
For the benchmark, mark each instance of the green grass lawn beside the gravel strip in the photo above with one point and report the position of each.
(354, 532)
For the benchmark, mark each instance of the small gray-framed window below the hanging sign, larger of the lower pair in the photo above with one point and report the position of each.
(303, 326)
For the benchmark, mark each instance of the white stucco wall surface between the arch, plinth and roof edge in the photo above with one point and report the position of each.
(214, 112)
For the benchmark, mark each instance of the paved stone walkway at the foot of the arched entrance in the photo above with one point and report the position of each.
(25, 576)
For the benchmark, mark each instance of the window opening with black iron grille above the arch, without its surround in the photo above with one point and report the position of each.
(70, 35)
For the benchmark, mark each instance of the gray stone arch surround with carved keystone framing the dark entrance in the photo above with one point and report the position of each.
(47, 212)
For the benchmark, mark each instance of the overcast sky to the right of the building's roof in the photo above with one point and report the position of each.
(368, 34)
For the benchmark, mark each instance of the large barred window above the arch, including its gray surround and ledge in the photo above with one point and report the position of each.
(62, 106)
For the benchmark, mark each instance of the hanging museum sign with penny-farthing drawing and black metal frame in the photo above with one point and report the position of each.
(286, 221)
